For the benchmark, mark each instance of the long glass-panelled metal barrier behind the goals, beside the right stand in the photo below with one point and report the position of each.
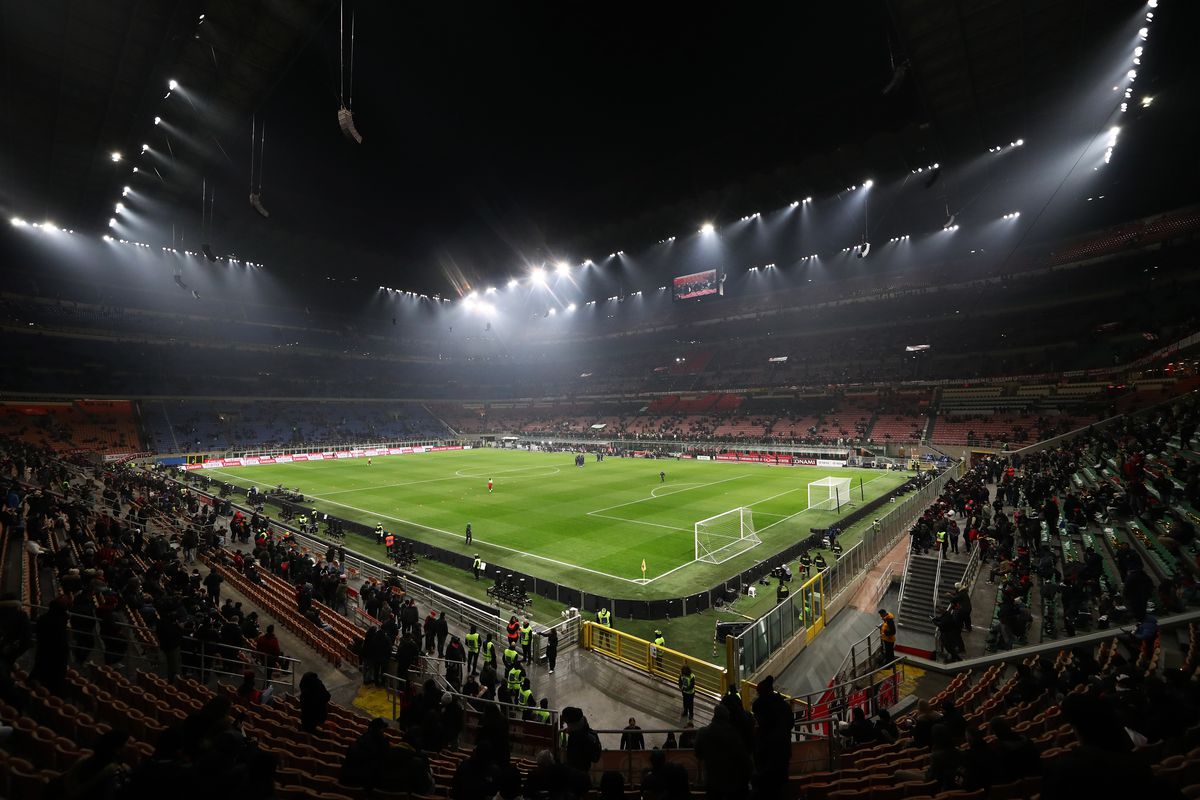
(806, 611)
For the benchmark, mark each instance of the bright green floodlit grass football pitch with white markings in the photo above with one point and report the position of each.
(584, 527)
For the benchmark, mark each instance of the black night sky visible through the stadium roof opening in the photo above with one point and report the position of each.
(494, 136)
